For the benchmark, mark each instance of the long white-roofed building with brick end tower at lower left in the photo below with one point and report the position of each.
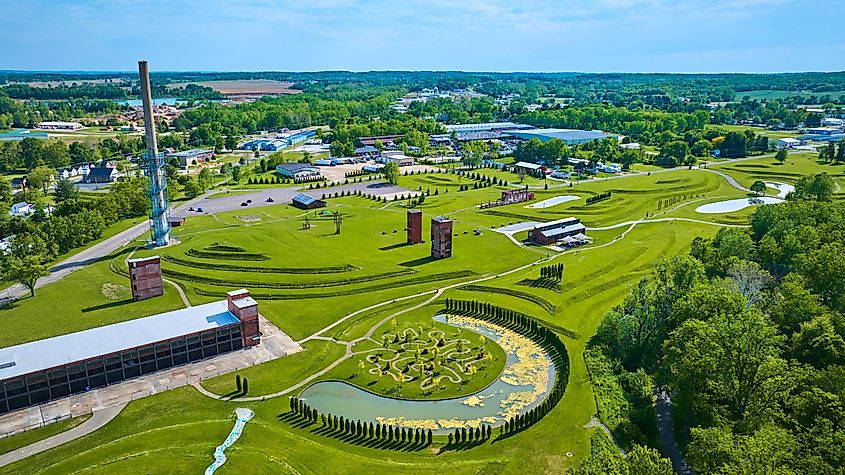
(44, 370)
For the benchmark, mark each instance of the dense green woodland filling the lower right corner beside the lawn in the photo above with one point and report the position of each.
(747, 334)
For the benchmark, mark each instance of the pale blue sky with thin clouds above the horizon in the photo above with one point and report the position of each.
(470, 35)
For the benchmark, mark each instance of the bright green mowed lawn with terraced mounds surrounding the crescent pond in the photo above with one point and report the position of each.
(369, 264)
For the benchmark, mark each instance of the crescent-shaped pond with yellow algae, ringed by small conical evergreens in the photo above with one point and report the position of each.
(525, 382)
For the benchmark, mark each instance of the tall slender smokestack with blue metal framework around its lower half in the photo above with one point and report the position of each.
(159, 208)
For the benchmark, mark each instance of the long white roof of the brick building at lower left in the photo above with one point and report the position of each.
(51, 352)
